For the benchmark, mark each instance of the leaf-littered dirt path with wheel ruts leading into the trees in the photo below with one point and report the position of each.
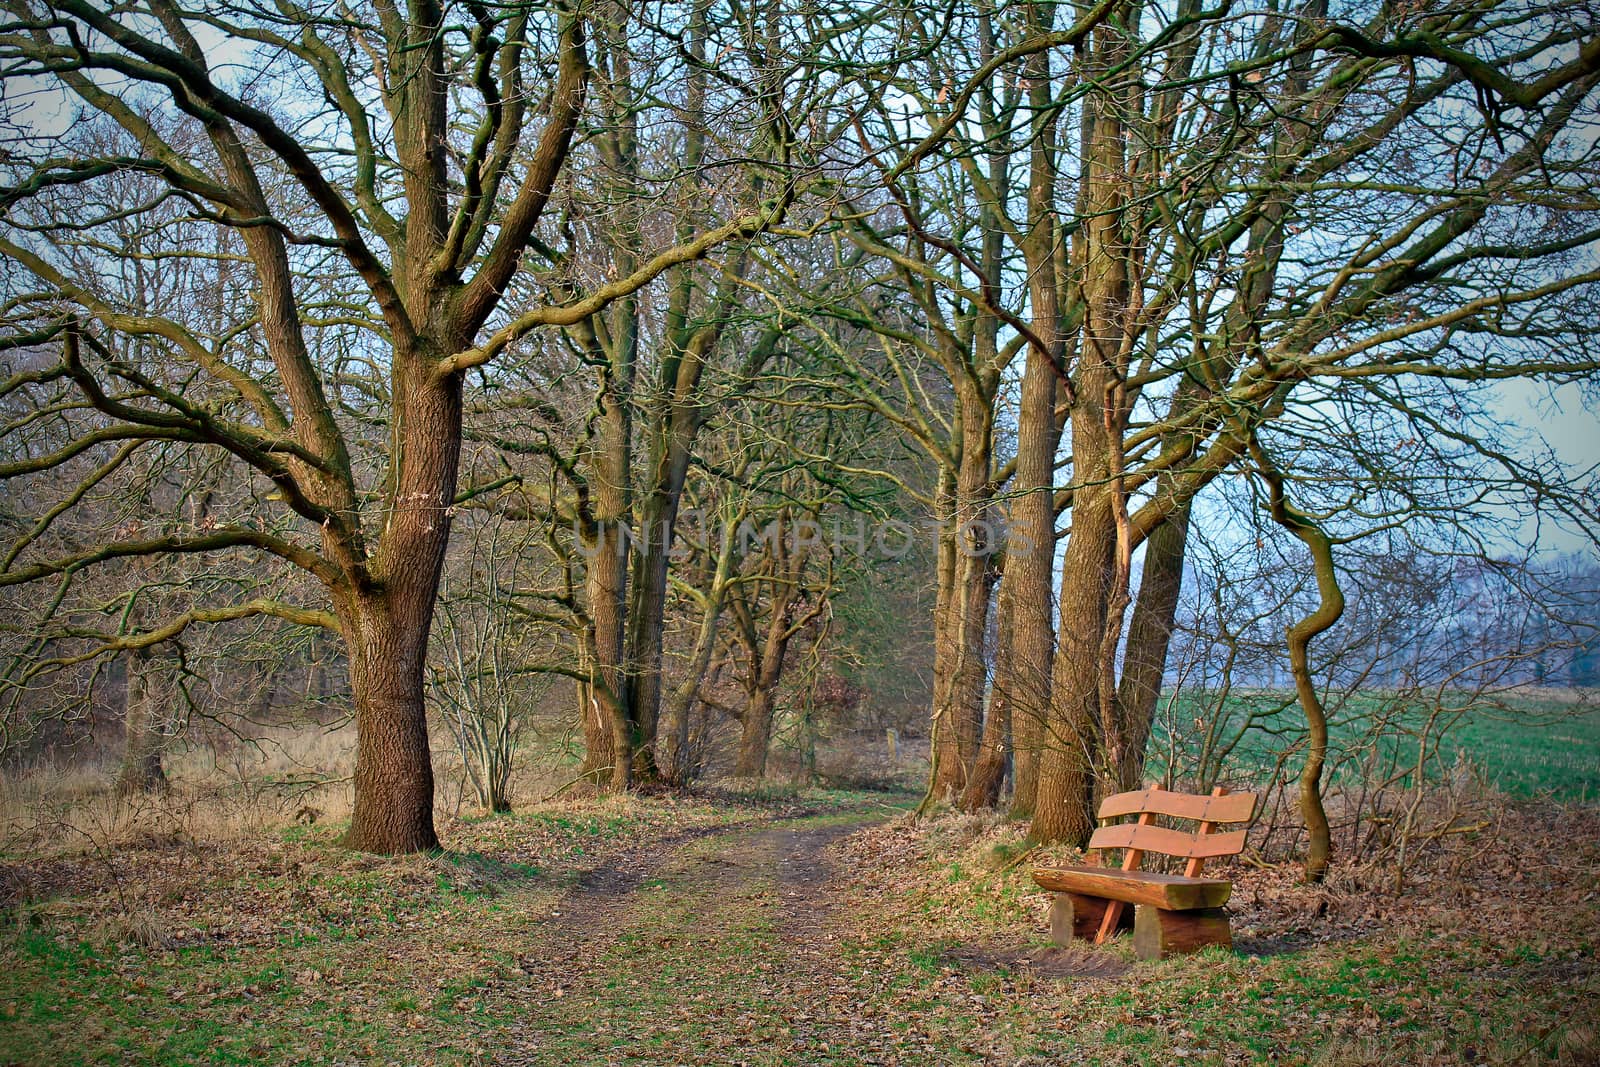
(716, 946)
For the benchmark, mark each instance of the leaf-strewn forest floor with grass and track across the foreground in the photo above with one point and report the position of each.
(775, 929)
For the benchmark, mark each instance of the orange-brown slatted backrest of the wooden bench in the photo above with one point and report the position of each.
(1199, 845)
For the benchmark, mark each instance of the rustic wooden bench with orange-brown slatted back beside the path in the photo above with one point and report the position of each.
(1174, 913)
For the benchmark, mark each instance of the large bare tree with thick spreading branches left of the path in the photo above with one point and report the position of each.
(380, 254)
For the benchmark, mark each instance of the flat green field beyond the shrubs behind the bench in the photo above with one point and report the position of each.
(1522, 746)
